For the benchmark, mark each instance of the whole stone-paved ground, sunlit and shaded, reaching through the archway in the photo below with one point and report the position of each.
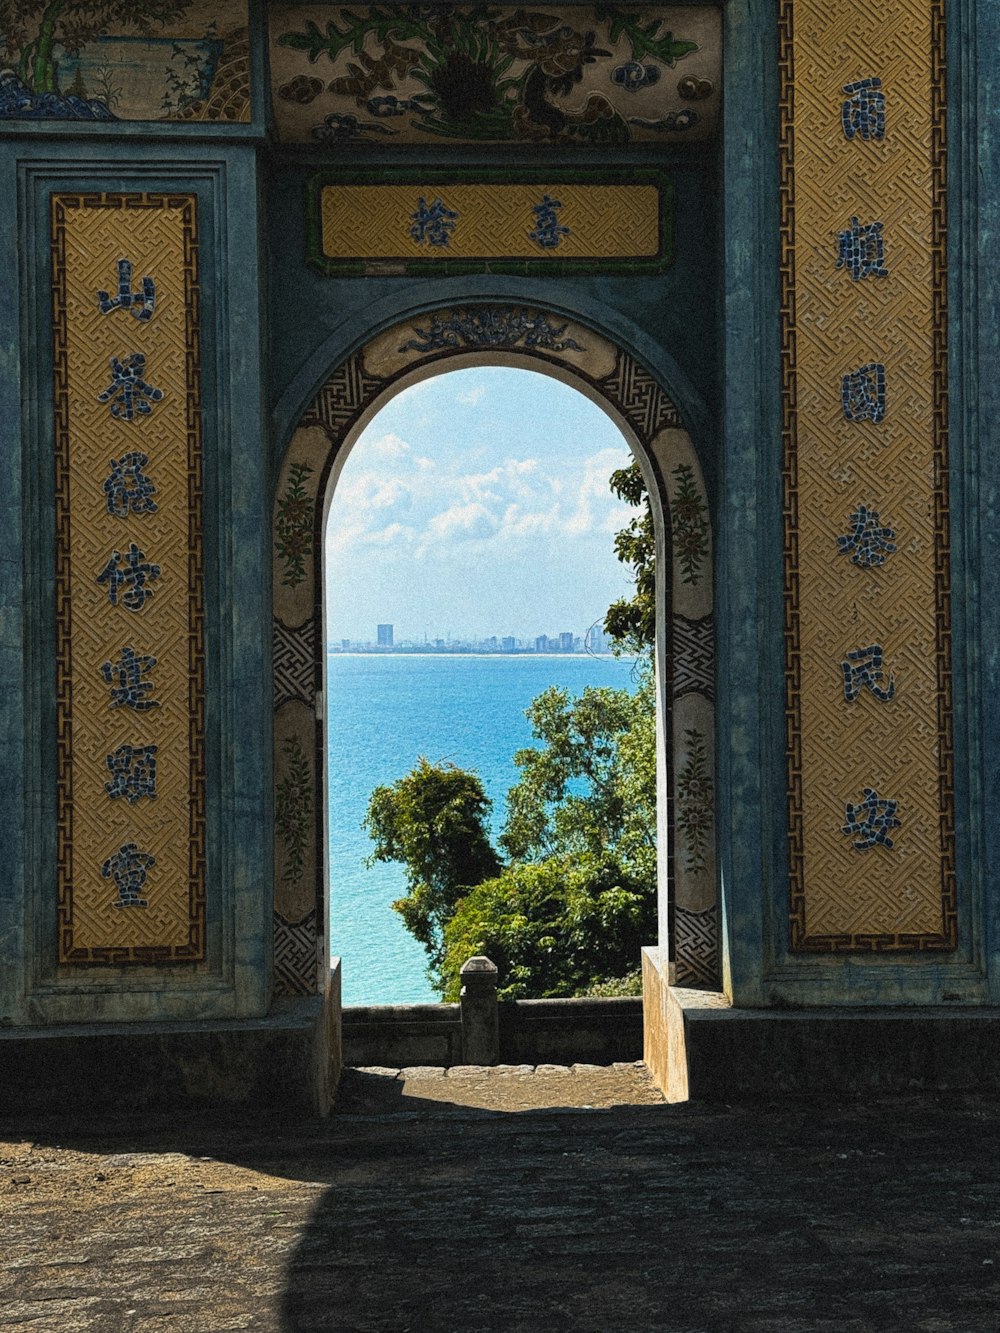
(495, 1202)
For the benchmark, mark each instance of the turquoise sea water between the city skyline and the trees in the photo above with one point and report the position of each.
(389, 711)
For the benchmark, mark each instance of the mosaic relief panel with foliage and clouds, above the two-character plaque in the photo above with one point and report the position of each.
(458, 75)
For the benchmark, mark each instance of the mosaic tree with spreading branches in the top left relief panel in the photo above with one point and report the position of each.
(71, 23)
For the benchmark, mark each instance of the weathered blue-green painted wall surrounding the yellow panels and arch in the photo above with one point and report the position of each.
(709, 329)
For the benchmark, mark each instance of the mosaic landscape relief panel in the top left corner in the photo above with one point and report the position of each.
(175, 61)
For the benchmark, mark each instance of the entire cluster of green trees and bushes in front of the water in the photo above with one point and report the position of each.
(577, 898)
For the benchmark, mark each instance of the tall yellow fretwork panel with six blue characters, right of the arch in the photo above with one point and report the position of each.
(866, 475)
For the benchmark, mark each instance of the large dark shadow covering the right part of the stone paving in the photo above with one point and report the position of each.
(790, 1219)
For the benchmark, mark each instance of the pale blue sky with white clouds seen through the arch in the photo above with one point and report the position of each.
(477, 503)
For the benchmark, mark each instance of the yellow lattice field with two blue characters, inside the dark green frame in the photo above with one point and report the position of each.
(491, 222)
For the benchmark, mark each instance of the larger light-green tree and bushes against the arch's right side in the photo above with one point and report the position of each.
(578, 898)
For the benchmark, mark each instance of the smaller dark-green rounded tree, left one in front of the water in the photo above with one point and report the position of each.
(434, 822)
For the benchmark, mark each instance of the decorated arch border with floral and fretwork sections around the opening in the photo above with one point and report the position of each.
(606, 371)
